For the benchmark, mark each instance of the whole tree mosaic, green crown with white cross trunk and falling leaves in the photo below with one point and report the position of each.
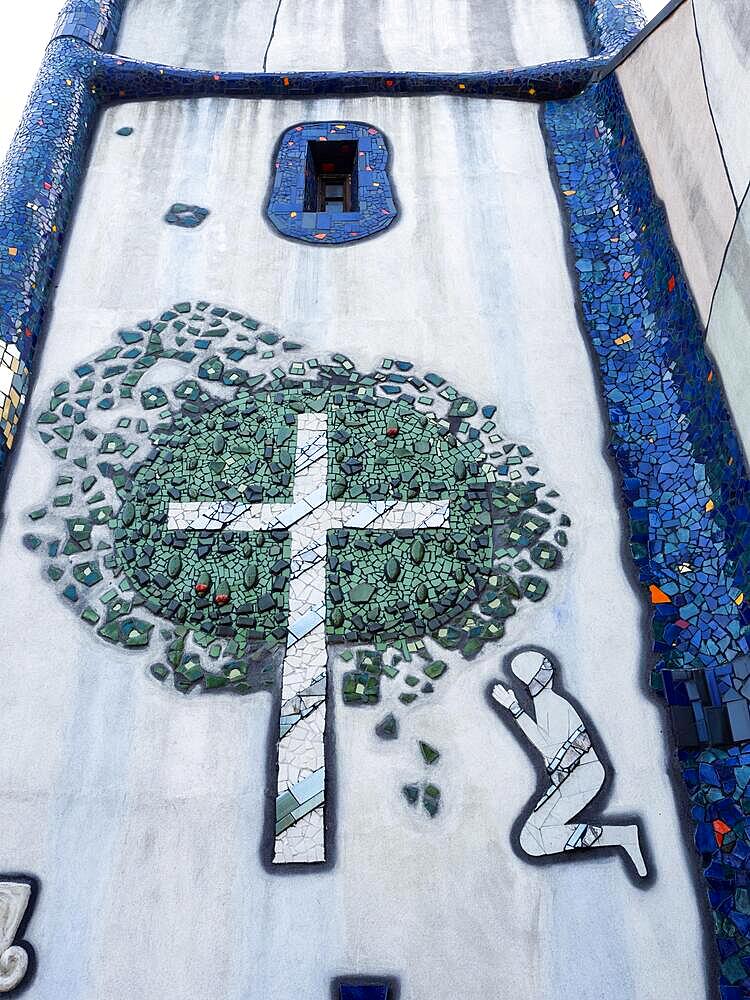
(229, 509)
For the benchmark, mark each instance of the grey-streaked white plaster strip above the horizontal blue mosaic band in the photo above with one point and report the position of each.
(365, 35)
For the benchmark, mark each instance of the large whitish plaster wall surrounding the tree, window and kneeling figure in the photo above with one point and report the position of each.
(141, 810)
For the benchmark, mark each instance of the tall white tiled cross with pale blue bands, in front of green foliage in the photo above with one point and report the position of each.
(300, 829)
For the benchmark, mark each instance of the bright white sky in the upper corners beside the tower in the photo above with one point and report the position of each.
(24, 32)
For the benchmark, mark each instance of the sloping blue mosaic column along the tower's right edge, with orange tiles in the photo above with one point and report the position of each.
(685, 485)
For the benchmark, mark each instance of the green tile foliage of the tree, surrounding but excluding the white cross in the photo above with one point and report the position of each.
(201, 403)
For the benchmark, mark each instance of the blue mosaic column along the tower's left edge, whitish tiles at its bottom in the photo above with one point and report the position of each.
(39, 180)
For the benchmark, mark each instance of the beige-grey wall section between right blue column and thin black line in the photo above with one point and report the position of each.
(666, 96)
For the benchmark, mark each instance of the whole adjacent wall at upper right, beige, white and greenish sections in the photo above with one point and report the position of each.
(687, 89)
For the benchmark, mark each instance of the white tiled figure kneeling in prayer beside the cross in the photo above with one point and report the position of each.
(576, 774)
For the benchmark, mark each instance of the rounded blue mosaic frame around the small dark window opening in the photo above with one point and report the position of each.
(376, 208)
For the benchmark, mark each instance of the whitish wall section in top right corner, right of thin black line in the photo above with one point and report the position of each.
(724, 33)
